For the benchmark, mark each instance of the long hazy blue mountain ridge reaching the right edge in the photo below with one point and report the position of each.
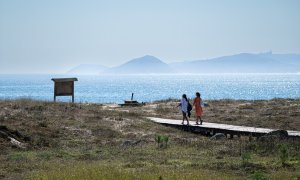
(243, 63)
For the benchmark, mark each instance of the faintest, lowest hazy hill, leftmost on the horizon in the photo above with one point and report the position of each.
(87, 69)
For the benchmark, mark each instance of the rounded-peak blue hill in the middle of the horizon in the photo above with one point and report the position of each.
(142, 65)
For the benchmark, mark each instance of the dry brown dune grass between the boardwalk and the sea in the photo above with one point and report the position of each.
(275, 113)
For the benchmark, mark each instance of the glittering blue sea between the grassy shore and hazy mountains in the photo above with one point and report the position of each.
(115, 89)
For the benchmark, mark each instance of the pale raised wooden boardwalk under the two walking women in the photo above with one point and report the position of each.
(213, 128)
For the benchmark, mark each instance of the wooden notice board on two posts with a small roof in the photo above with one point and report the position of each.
(64, 87)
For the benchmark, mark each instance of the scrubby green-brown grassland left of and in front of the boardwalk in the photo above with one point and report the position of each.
(92, 141)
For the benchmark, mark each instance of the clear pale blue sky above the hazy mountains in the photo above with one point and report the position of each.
(53, 36)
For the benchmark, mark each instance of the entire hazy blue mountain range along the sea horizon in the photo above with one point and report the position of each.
(238, 63)
